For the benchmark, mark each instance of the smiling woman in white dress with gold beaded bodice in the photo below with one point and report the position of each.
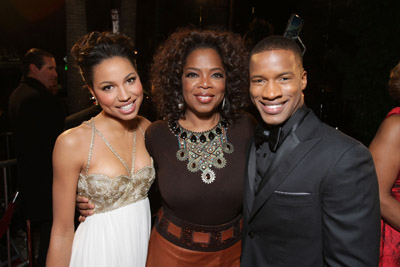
(105, 160)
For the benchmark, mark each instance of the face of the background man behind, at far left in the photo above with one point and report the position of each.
(47, 75)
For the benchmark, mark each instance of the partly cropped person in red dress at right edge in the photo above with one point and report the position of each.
(385, 150)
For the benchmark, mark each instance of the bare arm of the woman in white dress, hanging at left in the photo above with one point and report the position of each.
(66, 168)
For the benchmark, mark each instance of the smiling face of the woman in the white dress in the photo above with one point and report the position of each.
(117, 88)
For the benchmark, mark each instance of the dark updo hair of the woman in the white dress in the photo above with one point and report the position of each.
(94, 47)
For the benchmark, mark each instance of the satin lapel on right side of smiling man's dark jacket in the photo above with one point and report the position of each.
(291, 152)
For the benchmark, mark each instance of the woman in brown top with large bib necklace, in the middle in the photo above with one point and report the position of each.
(200, 89)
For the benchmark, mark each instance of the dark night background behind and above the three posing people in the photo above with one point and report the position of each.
(351, 45)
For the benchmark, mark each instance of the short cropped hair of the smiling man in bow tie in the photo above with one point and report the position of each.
(277, 42)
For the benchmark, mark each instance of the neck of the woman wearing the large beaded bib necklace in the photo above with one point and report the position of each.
(195, 123)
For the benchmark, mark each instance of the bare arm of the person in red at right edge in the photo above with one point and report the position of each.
(385, 150)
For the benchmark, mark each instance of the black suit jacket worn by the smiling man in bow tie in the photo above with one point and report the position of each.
(318, 204)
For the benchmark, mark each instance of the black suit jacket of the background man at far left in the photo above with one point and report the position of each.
(37, 118)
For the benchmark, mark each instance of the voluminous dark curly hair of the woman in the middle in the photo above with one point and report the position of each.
(169, 61)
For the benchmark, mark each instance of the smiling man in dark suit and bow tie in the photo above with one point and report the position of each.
(311, 192)
